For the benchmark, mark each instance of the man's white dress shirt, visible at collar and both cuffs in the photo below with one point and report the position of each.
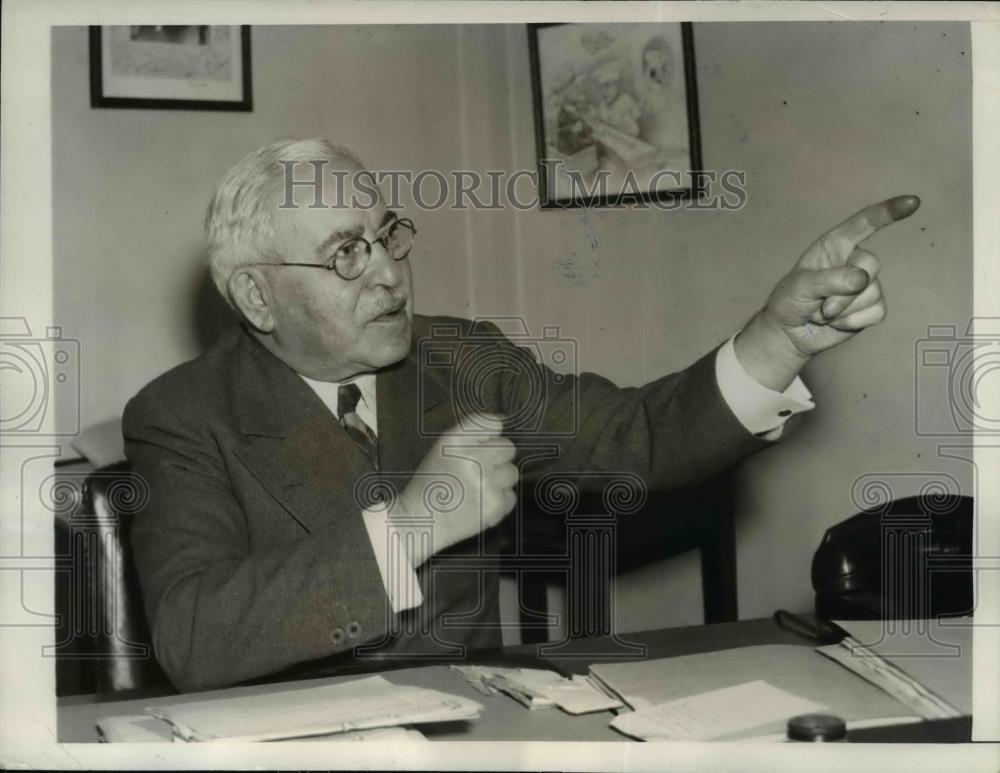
(761, 410)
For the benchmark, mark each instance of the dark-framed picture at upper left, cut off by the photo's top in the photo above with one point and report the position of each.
(190, 67)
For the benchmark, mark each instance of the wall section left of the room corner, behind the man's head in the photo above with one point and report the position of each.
(131, 186)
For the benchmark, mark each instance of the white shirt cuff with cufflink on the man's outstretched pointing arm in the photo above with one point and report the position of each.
(761, 410)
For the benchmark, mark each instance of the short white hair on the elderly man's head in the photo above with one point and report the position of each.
(239, 229)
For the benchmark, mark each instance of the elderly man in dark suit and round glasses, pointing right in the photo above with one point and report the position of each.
(263, 546)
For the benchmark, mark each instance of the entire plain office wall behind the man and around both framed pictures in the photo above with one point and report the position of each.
(823, 117)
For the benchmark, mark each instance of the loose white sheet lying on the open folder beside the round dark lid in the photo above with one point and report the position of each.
(714, 714)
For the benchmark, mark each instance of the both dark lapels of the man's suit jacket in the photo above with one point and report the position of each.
(299, 452)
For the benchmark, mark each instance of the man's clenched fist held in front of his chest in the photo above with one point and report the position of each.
(465, 483)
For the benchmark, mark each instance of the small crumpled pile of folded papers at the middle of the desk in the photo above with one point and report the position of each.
(540, 688)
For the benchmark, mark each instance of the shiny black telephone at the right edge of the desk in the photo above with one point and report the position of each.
(911, 558)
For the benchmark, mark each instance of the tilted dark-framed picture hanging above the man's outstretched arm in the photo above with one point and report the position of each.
(616, 112)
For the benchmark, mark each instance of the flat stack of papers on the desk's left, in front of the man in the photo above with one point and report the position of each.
(310, 711)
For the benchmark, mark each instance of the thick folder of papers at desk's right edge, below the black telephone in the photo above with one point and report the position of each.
(926, 665)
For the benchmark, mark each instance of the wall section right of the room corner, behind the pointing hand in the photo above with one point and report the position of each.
(824, 118)
